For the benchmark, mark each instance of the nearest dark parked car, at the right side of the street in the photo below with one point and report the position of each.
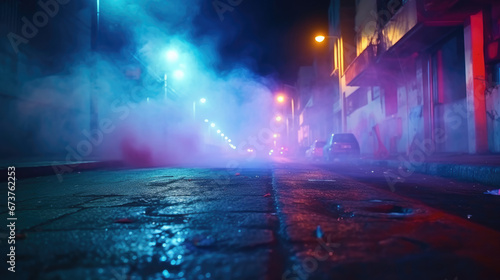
(341, 144)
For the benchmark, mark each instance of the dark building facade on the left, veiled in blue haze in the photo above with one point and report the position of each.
(43, 107)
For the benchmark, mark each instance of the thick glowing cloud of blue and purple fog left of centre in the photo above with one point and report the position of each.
(108, 105)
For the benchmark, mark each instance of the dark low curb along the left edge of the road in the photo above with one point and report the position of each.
(59, 169)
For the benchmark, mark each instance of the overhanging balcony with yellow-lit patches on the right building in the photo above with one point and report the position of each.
(416, 26)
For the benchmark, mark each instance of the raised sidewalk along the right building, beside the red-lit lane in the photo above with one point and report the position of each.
(484, 169)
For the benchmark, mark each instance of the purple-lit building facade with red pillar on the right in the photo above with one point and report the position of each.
(417, 74)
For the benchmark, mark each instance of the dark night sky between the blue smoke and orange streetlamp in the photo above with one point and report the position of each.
(272, 38)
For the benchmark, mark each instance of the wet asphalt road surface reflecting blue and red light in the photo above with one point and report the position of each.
(280, 220)
